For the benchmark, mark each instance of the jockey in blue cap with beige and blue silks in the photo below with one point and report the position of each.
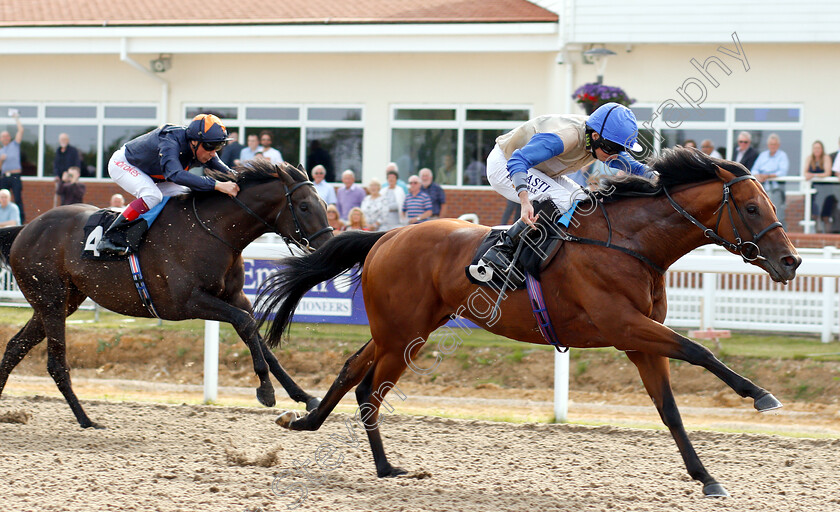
(530, 162)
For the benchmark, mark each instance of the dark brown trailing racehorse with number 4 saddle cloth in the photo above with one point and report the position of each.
(191, 261)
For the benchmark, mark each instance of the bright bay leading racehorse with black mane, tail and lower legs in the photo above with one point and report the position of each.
(413, 280)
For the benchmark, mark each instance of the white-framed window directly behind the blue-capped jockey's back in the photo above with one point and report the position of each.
(452, 141)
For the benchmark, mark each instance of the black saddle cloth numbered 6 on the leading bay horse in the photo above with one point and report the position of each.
(536, 249)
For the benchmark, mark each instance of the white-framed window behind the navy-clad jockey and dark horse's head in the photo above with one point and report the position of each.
(329, 135)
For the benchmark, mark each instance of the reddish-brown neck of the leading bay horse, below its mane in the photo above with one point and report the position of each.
(655, 229)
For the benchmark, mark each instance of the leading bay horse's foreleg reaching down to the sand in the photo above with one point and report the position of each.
(655, 375)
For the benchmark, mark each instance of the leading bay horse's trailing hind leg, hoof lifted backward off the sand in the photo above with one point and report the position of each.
(351, 374)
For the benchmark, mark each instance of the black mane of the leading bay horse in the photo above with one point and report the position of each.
(676, 166)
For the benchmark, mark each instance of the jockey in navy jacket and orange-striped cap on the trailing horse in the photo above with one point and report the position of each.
(155, 165)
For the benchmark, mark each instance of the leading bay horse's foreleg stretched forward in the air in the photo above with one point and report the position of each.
(646, 335)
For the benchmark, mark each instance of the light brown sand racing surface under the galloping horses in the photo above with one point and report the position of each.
(155, 457)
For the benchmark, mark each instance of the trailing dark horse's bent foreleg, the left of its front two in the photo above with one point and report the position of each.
(208, 307)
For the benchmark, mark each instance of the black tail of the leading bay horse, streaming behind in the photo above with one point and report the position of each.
(283, 290)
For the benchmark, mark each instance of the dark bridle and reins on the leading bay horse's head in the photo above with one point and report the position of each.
(748, 250)
